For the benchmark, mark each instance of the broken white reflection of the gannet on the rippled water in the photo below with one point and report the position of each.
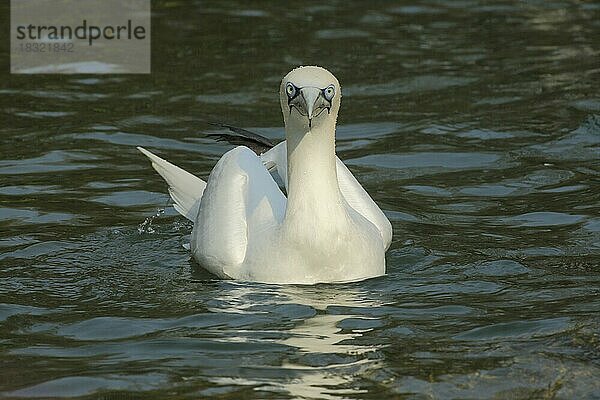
(323, 352)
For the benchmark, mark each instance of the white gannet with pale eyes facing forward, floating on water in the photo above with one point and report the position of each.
(327, 228)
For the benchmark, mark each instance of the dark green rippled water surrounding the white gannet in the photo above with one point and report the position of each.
(474, 125)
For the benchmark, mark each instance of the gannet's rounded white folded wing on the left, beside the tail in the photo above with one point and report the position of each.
(240, 203)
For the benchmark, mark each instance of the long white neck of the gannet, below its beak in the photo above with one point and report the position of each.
(312, 176)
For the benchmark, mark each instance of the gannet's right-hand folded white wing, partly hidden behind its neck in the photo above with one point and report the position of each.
(354, 194)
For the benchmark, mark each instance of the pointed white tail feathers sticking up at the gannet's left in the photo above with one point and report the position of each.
(185, 189)
